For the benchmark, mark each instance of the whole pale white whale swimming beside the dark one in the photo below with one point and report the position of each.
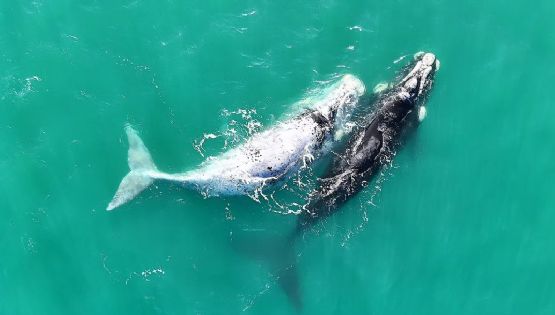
(265, 158)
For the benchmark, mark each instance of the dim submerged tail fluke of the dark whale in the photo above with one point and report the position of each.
(279, 254)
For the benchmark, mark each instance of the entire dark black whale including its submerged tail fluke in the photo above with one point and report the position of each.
(395, 115)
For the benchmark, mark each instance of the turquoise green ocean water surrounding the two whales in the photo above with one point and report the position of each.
(463, 224)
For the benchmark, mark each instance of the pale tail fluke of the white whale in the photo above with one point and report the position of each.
(142, 170)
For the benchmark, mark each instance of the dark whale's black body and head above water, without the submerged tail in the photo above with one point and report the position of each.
(375, 144)
